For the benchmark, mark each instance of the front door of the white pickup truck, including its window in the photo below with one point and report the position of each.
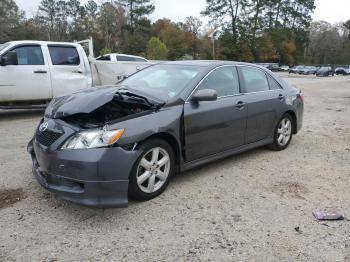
(29, 80)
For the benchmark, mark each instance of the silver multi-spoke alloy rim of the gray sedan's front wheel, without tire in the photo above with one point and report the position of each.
(153, 170)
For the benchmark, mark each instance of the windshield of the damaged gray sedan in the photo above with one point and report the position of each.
(163, 81)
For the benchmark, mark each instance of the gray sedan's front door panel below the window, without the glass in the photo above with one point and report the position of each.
(213, 127)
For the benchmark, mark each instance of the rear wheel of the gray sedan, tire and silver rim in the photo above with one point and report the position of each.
(281, 130)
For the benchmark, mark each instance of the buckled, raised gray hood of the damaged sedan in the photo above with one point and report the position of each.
(87, 101)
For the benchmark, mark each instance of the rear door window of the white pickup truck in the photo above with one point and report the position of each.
(64, 55)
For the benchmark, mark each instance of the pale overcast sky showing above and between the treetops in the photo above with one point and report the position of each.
(177, 10)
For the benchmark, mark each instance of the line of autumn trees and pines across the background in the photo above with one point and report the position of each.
(278, 31)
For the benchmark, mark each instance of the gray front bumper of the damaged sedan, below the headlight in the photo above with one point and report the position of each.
(92, 177)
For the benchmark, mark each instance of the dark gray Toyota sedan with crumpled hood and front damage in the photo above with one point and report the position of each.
(98, 147)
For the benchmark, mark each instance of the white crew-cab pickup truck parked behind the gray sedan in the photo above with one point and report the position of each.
(33, 72)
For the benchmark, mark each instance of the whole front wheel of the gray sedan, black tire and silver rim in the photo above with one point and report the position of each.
(147, 179)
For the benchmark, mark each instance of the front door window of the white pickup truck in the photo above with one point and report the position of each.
(29, 55)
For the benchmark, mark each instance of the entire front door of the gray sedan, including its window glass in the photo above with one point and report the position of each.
(215, 126)
